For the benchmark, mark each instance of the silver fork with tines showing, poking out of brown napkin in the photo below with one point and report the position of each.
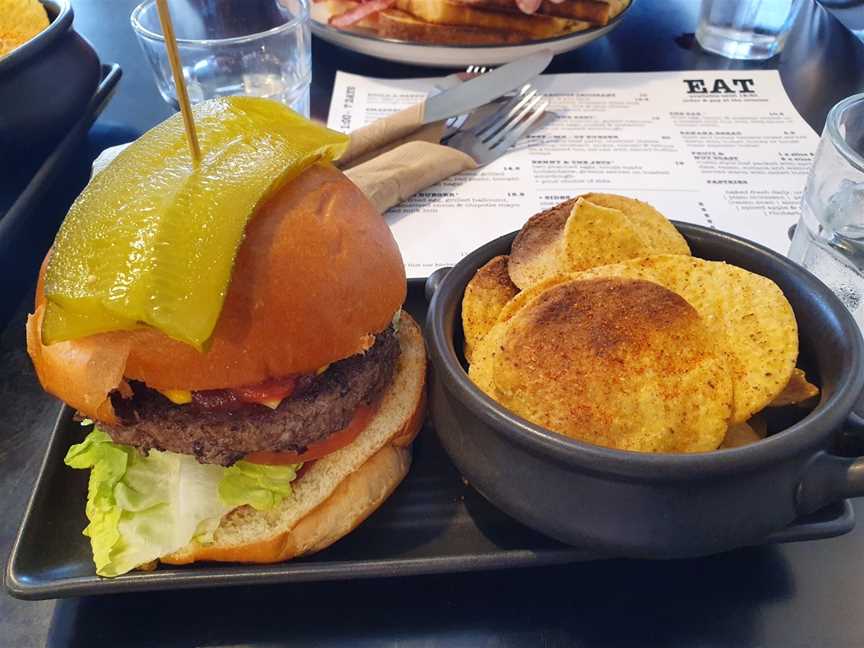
(490, 139)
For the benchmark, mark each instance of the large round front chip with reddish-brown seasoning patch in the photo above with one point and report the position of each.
(621, 363)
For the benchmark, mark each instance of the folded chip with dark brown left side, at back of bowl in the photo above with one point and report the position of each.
(569, 237)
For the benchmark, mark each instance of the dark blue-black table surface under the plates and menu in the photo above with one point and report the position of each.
(806, 594)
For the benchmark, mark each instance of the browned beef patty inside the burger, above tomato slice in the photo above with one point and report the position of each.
(319, 406)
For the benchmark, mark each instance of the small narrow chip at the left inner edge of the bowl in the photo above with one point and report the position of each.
(485, 295)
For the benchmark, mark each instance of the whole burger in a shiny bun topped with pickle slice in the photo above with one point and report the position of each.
(281, 427)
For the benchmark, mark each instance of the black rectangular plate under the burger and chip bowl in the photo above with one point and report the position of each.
(434, 523)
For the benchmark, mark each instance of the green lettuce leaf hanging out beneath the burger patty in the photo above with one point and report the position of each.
(142, 507)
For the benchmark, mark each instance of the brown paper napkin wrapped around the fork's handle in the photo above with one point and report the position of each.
(394, 176)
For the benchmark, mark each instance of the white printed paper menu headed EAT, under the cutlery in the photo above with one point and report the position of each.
(720, 148)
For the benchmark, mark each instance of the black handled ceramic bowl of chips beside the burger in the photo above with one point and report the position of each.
(655, 505)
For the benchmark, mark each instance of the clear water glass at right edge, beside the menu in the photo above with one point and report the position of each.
(829, 238)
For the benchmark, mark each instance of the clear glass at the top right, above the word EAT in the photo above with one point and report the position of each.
(745, 29)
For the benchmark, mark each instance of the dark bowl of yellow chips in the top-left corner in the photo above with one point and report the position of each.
(45, 84)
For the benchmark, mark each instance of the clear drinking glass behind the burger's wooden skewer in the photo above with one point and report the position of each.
(232, 47)
